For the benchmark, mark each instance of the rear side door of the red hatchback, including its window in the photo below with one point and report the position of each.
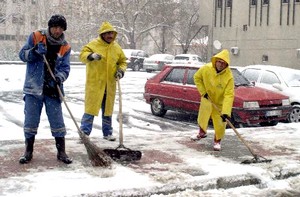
(172, 88)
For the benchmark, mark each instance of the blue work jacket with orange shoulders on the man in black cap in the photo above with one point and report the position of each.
(34, 79)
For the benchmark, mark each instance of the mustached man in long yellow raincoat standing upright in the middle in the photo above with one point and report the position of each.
(105, 62)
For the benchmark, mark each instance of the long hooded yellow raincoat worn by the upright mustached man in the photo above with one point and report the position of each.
(100, 74)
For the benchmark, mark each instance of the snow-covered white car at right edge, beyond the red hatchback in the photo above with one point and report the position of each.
(280, 79)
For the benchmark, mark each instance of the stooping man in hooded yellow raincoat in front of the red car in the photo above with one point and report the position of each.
(215, 84)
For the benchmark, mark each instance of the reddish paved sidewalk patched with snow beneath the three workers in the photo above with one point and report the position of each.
(169, 169)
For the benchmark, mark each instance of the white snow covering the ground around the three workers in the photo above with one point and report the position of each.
(143, 131)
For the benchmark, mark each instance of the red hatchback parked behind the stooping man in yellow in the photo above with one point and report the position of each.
(173, 89)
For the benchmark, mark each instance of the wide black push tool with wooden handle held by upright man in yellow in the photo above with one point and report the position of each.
(121, 153)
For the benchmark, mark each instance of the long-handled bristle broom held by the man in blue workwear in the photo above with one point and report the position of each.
(95, 154)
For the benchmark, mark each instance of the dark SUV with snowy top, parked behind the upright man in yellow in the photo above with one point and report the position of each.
(135, 58)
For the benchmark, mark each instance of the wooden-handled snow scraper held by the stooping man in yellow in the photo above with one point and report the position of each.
(256, 158)
